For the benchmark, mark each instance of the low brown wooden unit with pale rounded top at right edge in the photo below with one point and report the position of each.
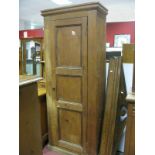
(130, 128)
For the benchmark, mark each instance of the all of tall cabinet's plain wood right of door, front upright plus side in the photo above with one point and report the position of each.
(96, 78)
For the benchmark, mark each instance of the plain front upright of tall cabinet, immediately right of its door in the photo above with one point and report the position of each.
(92, 84)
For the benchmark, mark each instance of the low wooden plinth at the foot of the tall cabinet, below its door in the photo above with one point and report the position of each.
(59, 150)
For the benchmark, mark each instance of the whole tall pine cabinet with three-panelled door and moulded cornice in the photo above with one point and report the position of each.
(75, 76)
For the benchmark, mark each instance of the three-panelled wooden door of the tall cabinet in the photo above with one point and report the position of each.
(68, 47)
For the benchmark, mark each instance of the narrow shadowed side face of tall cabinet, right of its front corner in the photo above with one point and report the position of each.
(101, 71)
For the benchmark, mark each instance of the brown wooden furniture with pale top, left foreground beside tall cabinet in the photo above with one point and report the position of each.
(29, 122)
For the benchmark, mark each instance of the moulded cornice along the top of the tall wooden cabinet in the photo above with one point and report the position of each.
(80, 7)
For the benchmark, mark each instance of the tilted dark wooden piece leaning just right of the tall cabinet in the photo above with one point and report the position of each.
(115, 109)
